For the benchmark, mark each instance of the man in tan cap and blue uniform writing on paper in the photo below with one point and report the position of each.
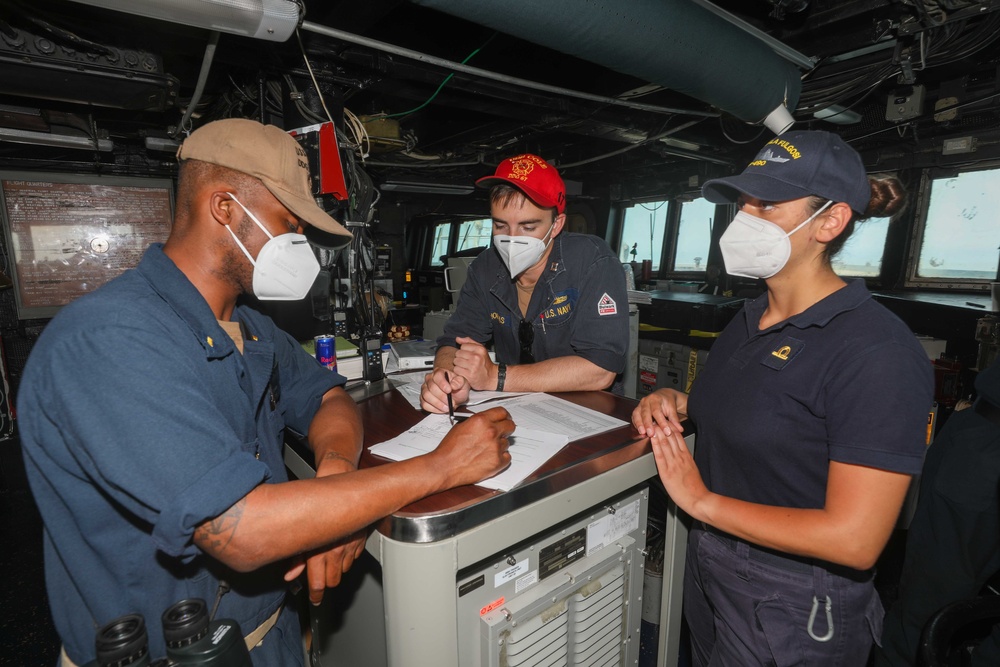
(152, 412)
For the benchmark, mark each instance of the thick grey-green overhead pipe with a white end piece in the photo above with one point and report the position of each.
(677, 44)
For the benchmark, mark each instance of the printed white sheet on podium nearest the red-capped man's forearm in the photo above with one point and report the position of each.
(542, 412)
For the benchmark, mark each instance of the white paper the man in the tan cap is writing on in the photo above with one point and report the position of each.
(528, 449)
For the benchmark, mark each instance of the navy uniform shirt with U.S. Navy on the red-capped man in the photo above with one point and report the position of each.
(579, 306)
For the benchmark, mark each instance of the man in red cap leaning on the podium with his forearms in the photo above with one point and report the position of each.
(553, 303)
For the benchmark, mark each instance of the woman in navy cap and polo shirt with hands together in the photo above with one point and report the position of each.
(811, 419)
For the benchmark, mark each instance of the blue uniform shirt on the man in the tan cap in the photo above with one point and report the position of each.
(139, 421)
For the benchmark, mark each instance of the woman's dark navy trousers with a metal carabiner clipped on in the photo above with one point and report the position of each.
(746, 606)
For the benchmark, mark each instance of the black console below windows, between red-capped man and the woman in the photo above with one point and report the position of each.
(689, 313)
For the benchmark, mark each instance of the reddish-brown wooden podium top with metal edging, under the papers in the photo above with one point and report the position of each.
(442, 515)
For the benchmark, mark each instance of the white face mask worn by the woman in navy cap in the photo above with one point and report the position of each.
(756, 248)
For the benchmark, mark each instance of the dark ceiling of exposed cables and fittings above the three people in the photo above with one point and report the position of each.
(79, 71)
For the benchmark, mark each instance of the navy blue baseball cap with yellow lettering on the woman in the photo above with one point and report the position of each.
(795, 165)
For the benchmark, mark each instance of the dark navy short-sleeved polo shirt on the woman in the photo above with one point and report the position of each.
(845, 381)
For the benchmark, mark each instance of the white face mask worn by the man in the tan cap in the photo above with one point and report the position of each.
(285, 268)
